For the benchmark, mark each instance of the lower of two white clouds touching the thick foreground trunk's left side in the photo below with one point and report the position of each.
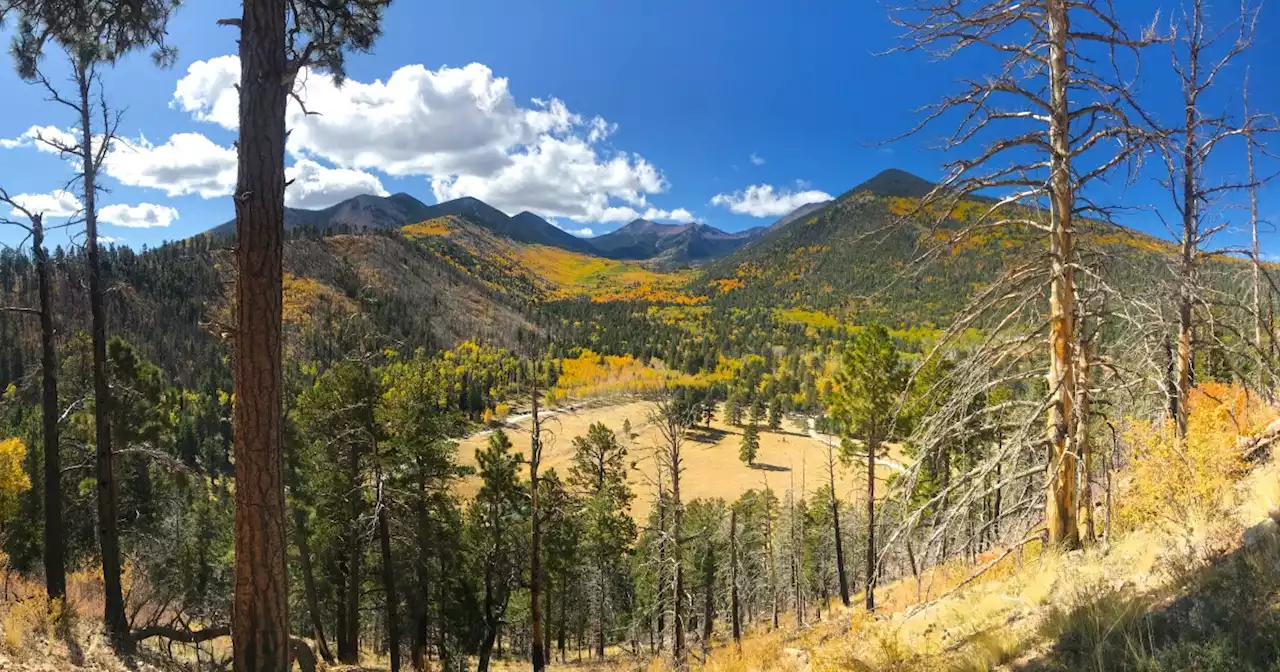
(188, 163)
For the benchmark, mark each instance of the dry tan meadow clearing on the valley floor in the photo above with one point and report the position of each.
(712, 467)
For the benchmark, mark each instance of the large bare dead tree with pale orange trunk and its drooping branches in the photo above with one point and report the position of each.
(1036, 132)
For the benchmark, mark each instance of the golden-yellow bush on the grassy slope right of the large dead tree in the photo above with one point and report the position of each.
(1192, 482)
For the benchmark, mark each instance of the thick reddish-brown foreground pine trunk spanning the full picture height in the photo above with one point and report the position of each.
(260, 614)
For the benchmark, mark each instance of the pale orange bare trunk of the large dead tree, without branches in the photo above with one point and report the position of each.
(1060, 510)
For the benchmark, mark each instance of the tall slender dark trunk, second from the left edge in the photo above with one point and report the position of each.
(108, 514)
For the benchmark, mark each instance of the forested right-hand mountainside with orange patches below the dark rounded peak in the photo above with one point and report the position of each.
(854, 259)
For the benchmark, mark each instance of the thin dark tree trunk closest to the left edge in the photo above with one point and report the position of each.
(56, 565)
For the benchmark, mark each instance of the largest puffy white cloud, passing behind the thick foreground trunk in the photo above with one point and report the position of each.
(459, 127)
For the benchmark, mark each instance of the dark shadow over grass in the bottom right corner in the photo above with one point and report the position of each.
(1218, 618)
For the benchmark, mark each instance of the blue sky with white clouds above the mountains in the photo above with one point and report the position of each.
(589, 113)
